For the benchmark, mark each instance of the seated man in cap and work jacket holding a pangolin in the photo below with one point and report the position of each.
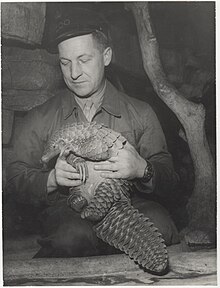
(84, 52)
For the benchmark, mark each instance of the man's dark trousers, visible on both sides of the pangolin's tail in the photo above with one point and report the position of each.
(66, 234)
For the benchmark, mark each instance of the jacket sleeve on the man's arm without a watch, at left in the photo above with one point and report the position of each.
(26, 178)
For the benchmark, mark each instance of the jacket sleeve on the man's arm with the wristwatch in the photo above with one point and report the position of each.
(152, 146)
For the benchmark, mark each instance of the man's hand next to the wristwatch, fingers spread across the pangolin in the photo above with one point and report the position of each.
(128, 164)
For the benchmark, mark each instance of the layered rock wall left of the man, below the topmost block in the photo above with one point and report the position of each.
(29, 78)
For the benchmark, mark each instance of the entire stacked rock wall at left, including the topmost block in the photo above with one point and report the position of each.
(29, 75)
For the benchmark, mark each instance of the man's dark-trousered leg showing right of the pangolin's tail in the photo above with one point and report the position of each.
(160, 218)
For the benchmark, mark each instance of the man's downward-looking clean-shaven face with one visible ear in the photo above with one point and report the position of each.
(82, 64)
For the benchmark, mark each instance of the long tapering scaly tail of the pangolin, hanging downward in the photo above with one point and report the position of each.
(131, 232)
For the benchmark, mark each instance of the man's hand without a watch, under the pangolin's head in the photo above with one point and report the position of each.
(64, 175)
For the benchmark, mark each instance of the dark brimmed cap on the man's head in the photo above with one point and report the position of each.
(78, 21)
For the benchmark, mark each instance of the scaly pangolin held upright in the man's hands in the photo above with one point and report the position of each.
(106, 202)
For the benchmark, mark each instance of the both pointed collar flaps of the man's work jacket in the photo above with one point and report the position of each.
(110, 101)
